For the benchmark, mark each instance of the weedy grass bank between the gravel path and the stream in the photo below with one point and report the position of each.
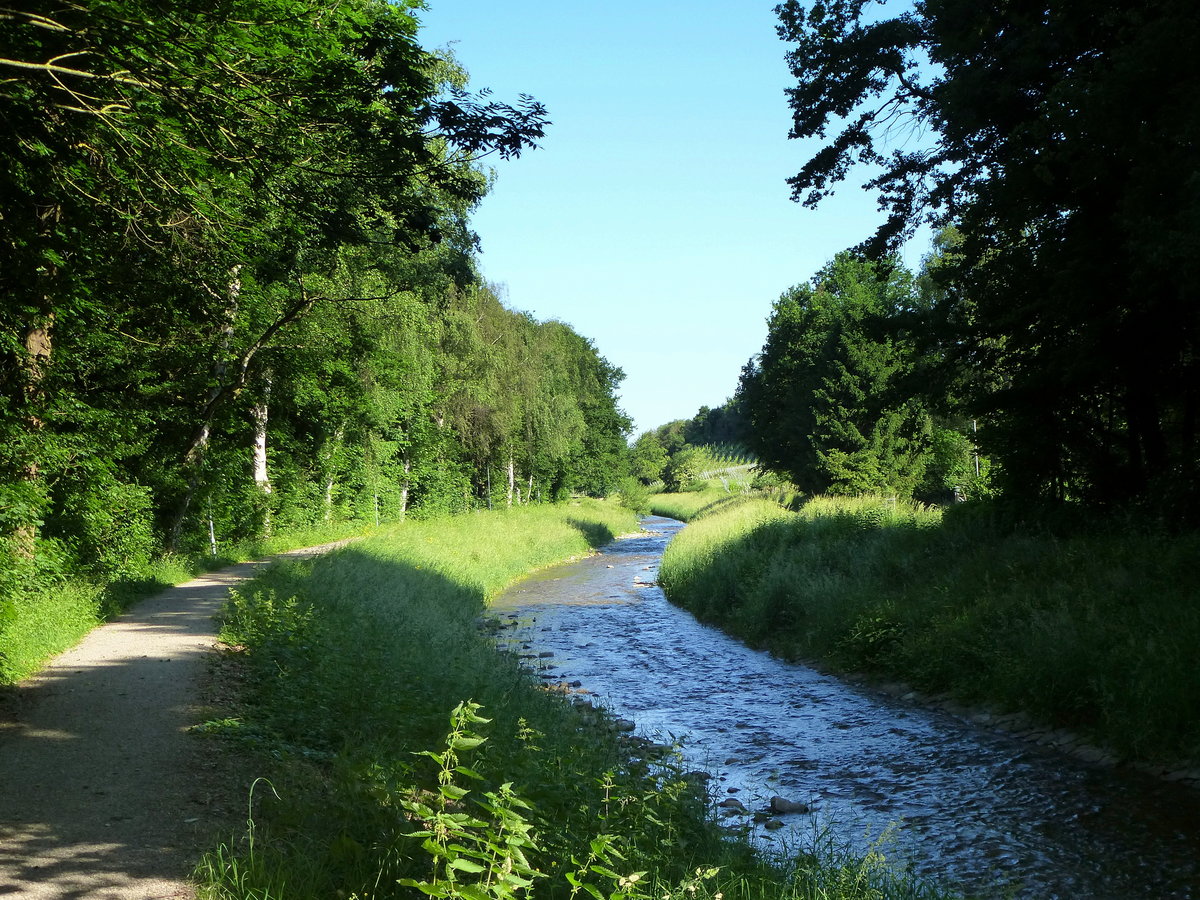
(350, 667)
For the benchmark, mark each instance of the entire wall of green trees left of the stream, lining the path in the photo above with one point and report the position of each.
(239, 290)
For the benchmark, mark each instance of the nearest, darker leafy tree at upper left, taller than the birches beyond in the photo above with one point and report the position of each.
(175, 179)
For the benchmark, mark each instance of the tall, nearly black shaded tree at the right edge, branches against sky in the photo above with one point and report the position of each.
(1060, 142)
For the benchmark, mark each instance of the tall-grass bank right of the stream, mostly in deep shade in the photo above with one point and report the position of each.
(1094, 632)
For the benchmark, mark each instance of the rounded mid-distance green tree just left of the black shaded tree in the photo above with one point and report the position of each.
(823, 395)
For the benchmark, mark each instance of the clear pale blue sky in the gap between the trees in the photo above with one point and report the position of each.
(656, 219)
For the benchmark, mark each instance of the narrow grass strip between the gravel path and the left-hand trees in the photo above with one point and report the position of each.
(46, 610)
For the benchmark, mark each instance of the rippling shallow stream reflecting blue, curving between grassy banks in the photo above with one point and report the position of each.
(981, 812)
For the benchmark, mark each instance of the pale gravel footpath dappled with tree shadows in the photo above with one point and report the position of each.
(103, 793)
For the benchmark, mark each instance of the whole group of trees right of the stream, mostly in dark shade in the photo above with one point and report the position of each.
(1047, 350)
